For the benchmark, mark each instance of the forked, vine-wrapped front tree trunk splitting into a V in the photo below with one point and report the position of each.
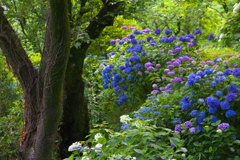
(43, 92)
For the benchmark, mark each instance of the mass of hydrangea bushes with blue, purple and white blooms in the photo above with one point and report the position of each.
(191, 111)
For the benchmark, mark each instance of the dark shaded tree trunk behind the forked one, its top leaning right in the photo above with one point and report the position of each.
(75, 122)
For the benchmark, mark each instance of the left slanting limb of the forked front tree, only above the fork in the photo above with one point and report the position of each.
(16, 55)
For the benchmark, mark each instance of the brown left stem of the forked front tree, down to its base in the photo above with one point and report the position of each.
(27, 76)
